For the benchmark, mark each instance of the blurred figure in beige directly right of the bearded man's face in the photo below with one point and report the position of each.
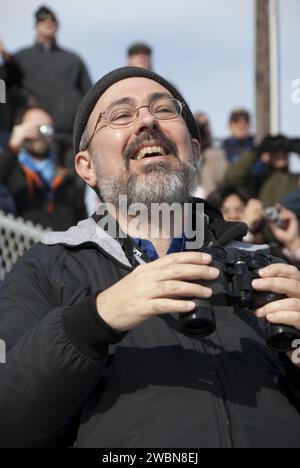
(214, 162)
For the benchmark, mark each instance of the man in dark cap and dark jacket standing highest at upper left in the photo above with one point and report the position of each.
(48, 75)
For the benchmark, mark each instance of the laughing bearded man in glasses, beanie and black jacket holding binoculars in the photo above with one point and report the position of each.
(95, 353)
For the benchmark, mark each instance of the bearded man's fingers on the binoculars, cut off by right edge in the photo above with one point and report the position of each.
(281, 279)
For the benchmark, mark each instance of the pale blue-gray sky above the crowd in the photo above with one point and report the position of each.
(206, 47)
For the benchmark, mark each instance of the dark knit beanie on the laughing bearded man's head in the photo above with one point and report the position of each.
(91, 98)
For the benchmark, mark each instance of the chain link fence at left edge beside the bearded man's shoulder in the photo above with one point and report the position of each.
(16, 236)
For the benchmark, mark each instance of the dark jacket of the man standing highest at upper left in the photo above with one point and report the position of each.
(55, 77)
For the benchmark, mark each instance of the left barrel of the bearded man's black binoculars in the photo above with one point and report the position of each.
(201, 322)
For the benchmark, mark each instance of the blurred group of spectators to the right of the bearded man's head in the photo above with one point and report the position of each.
(254, 183)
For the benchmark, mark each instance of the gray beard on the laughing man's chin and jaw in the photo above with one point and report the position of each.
(158, 183)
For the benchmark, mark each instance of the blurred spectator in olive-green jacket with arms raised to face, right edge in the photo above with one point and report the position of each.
(274, 180)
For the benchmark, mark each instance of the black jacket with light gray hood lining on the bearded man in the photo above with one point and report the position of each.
(69, 379)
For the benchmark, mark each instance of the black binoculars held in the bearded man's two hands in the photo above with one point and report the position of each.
(234, 288)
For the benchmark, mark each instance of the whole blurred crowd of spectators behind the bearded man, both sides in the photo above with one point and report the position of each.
(45, 84)
